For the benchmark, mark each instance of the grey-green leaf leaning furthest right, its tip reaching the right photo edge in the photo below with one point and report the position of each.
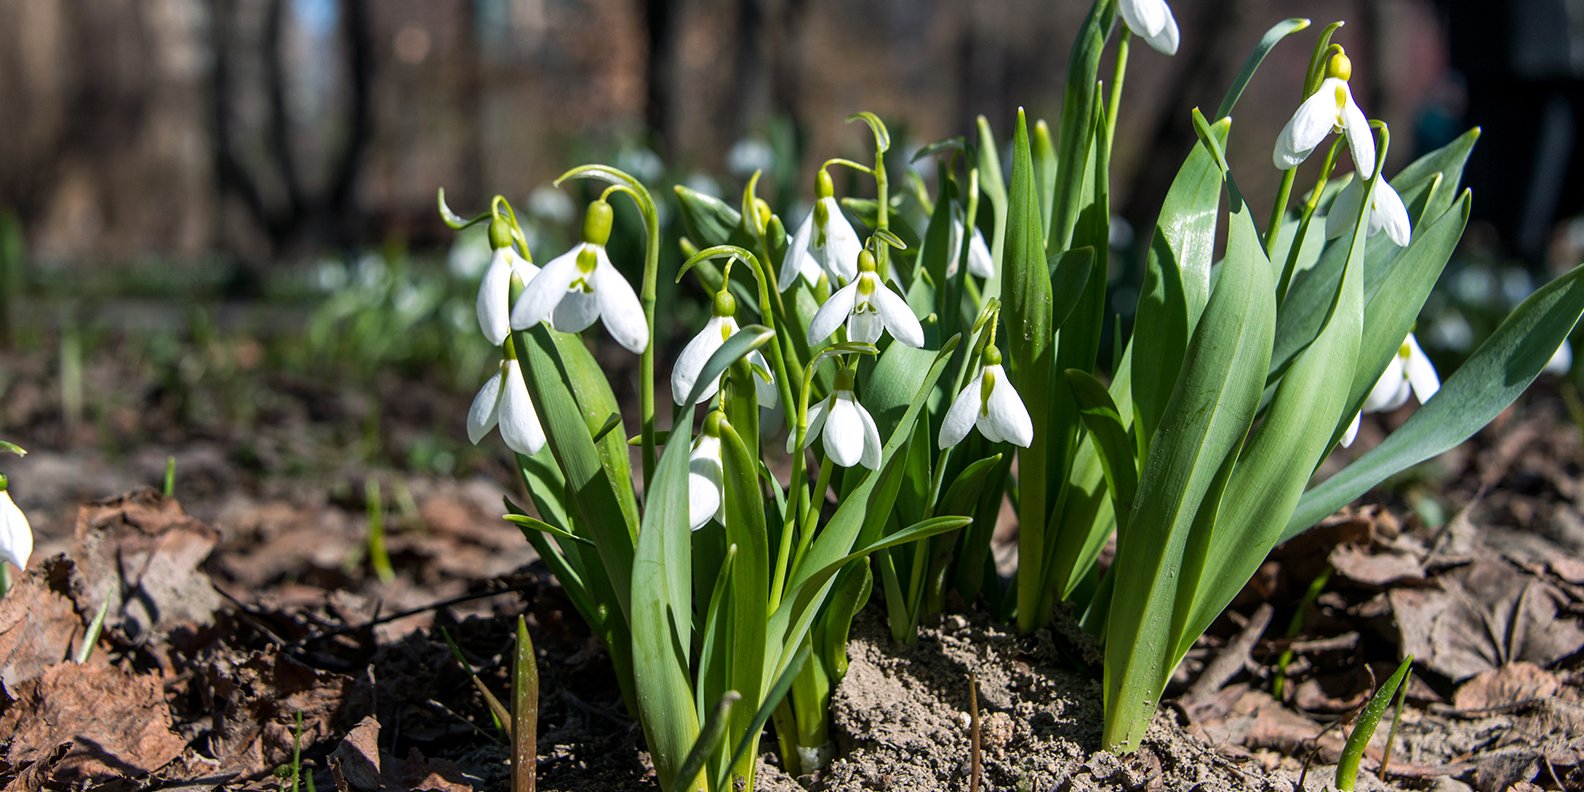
(1496, 375)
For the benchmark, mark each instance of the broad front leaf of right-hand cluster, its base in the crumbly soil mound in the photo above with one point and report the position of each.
(1201, 430)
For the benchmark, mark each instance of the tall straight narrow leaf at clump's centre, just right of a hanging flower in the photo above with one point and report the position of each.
(1030, 356)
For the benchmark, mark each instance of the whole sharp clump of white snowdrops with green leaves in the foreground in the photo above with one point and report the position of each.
(915, 341)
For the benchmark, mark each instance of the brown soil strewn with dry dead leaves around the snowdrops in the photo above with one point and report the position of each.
(246, 604)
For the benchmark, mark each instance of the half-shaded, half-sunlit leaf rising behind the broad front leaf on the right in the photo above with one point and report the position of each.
(1176, 280)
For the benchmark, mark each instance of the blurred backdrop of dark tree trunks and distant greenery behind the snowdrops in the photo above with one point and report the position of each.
(196, 192)
